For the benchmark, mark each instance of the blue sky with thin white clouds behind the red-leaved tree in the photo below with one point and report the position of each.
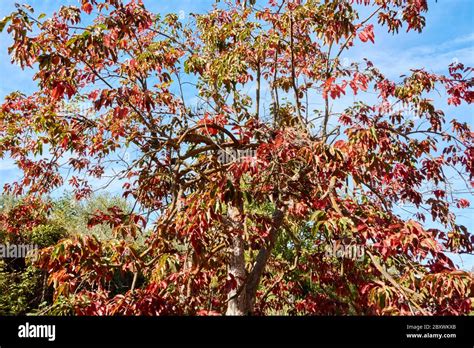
(447, 37)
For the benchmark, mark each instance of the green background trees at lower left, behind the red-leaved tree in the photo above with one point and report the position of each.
(25, 288)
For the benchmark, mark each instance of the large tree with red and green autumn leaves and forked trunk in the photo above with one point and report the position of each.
(249, 235)
